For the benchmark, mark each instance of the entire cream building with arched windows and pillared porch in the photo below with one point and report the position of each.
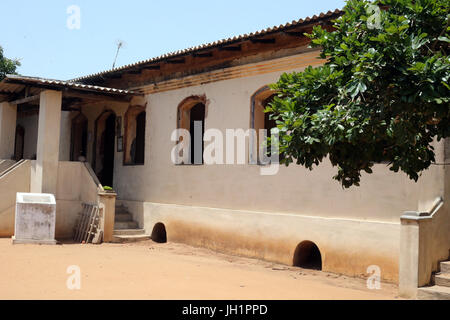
(295, 216)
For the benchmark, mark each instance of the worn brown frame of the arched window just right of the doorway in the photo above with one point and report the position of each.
(130, 126)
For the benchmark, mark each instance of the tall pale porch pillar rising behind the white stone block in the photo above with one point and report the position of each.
(46, 174)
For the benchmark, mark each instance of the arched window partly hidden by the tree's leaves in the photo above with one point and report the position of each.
(261, 122)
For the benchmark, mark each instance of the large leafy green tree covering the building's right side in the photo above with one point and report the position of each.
(382, 95)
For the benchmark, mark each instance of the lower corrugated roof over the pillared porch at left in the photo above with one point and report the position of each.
(15, 83)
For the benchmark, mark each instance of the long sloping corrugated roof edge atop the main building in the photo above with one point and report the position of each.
(222, 42)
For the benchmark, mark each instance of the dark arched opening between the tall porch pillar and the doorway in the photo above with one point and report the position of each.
(78, 139)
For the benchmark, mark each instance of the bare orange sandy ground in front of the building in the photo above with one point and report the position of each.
(148, 270)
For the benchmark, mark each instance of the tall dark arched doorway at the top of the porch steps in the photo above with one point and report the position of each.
(105, 138)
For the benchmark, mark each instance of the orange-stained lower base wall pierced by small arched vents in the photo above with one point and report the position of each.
(347, 246)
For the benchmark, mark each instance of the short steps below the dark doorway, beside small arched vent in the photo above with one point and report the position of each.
(126, 229)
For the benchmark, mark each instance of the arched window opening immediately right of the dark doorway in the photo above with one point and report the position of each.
(134, 140)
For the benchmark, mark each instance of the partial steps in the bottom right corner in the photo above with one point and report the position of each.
(441, 289)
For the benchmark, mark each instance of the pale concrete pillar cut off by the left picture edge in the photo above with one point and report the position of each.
(8, 117)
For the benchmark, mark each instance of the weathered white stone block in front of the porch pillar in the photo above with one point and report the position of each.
(35, 218)
